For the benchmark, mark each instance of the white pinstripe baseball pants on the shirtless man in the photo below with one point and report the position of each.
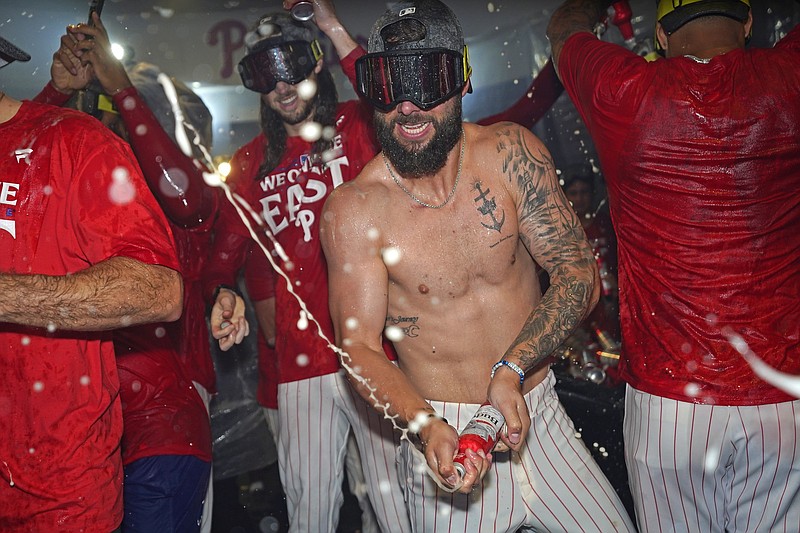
(553, 484)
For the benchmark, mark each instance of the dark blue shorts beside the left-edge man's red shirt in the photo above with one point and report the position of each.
(164, 493)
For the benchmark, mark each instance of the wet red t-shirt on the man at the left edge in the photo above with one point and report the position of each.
(72, 195)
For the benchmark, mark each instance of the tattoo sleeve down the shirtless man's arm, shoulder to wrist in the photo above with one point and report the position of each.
(549, 227)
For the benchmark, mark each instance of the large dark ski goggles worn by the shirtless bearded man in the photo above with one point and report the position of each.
(425, 78)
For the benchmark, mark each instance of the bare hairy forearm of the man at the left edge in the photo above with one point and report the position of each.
(115, 293)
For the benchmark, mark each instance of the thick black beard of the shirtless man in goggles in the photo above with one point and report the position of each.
(415, 161)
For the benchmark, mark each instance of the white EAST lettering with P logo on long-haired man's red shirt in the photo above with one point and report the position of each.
(303, 189)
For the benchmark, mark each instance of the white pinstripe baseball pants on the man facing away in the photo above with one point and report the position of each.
(713, 468)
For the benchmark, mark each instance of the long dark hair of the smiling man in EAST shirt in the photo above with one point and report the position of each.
(323, 112)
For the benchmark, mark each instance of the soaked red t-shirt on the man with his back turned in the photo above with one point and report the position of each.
(702, 163)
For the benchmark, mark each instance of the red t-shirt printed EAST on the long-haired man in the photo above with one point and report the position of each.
(290, 199)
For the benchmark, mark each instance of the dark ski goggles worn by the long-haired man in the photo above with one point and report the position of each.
(288, 61)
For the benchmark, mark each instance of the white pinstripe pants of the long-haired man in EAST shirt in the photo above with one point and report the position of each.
(315, 418)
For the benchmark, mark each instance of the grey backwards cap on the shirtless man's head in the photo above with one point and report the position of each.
(417, 24)
